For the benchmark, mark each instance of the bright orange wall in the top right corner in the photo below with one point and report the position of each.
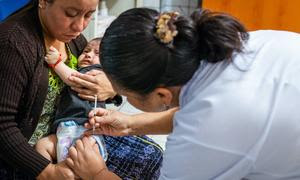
(261, 14)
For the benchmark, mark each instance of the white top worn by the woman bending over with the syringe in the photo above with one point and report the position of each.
(240, 119)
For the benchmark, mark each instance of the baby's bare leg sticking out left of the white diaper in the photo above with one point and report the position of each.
(47, 147)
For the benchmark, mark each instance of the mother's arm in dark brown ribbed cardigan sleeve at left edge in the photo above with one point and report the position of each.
(14, 78)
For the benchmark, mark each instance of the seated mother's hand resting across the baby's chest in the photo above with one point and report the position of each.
(92, 83)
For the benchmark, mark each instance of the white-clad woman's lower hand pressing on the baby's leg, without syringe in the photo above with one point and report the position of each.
(85, 159)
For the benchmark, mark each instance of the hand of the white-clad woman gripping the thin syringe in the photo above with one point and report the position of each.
(108, 122)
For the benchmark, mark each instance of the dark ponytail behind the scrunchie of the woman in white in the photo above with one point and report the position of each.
(219, 35)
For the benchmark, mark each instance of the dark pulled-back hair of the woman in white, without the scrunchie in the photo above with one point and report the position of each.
(133, 57)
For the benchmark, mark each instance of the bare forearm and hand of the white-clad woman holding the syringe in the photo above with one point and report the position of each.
(115, 123)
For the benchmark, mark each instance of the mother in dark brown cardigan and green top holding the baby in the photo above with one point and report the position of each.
(29, 88)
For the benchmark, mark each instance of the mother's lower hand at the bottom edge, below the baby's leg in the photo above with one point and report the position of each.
(58, 171)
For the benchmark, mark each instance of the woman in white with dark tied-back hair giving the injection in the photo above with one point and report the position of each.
(238, 95)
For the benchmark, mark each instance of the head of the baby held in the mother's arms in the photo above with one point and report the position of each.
(90, 54)
